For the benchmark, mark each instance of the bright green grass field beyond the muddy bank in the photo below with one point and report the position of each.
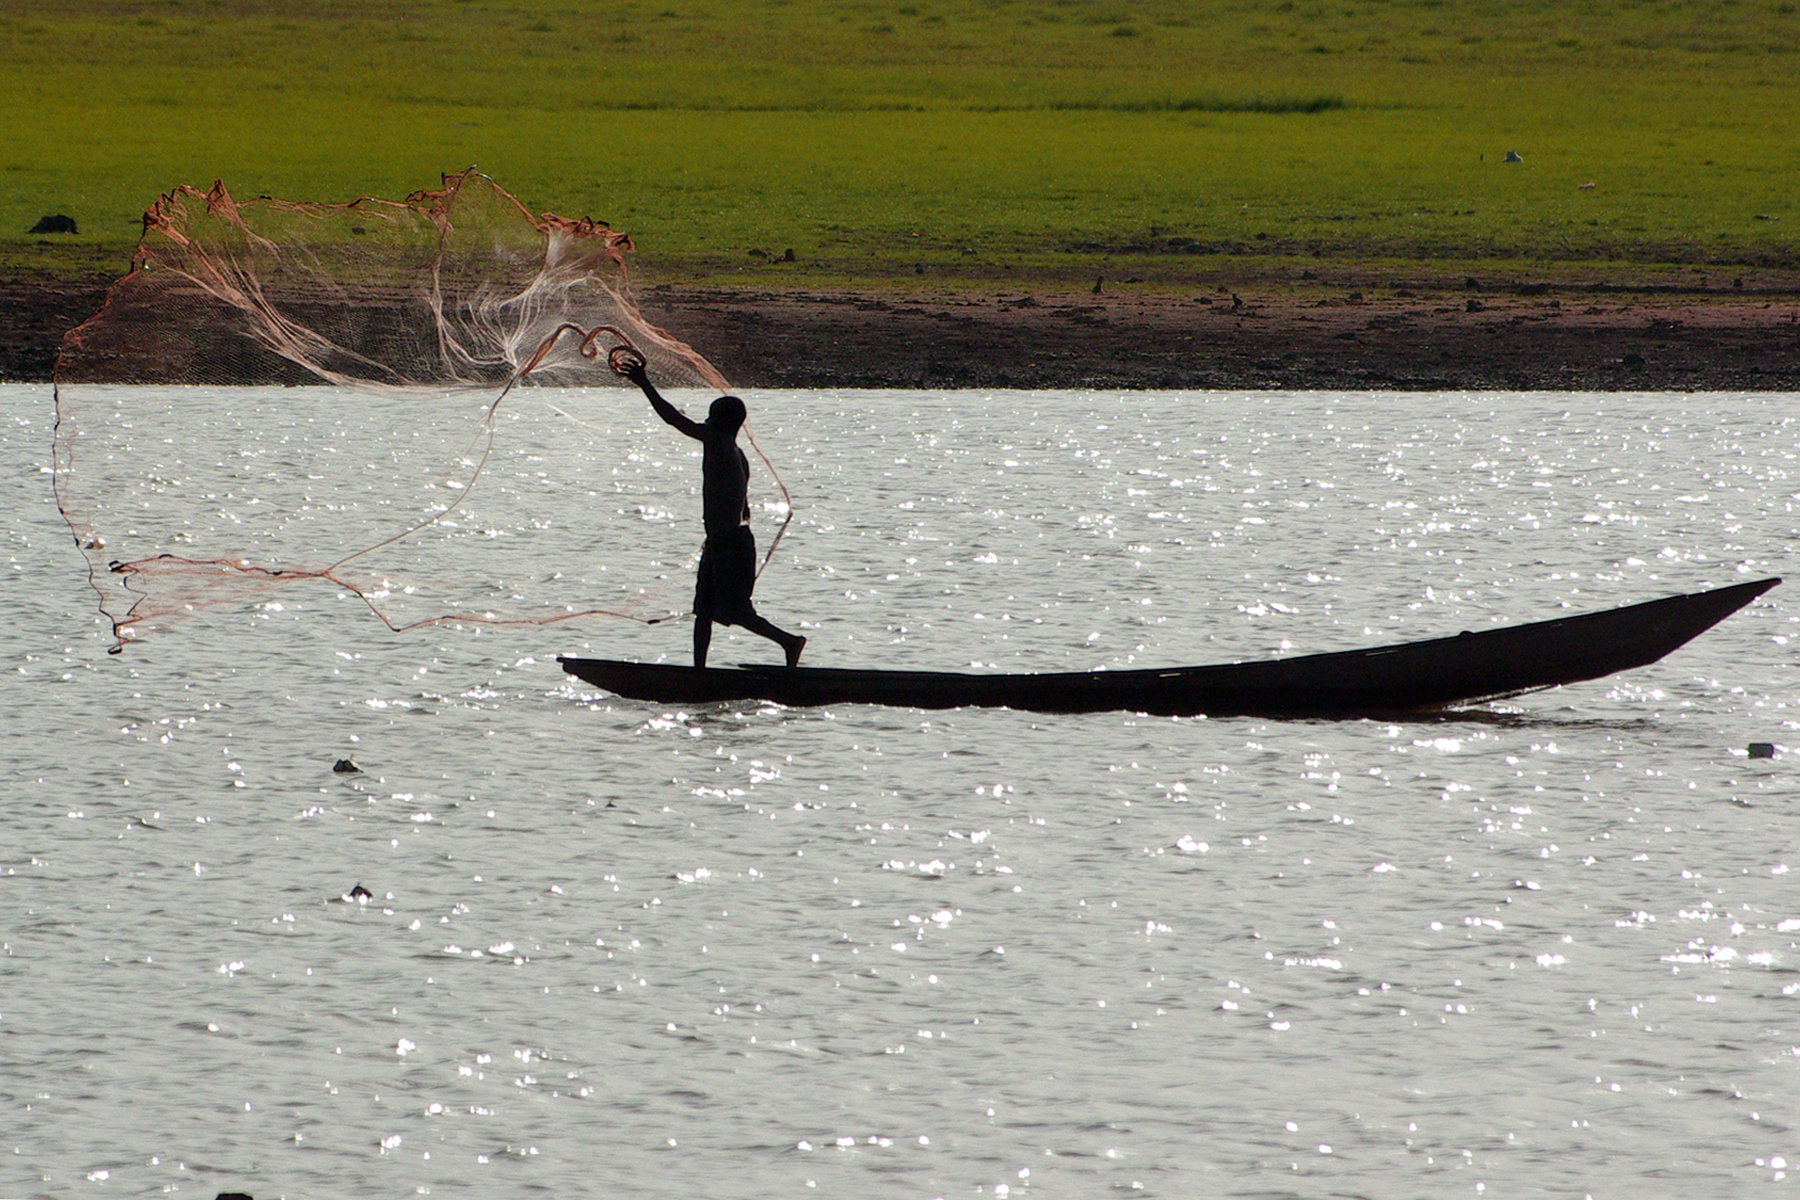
(973, 138)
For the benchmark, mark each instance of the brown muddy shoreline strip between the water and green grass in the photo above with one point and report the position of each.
(1461, 336)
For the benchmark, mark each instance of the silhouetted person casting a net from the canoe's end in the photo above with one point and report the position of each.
(728, 560)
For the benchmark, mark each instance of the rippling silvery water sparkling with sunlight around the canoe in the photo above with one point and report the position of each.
(618, 949)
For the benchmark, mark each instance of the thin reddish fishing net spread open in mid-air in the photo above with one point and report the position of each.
(404, 402)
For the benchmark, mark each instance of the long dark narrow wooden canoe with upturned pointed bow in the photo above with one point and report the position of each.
(1387, 679)
